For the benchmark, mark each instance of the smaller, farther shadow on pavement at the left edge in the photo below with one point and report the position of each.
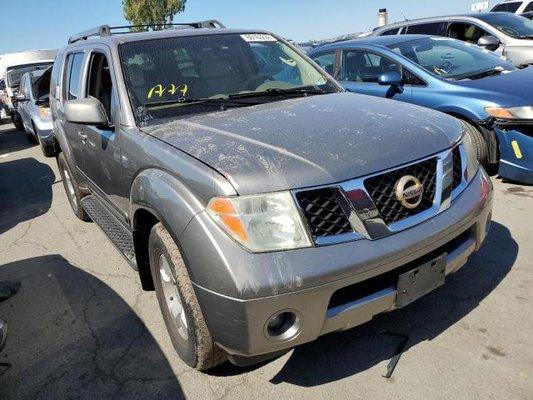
(25, 191)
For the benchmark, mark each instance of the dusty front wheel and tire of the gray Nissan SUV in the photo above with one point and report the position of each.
(180, 308)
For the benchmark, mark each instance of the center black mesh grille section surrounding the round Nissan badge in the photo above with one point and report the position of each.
(381, 189)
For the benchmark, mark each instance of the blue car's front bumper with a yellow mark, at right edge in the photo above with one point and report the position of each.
(516, 152)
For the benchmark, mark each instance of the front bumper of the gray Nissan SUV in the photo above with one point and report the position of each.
(239, 291)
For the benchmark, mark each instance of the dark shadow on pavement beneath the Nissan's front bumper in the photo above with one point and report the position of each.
(342, 354)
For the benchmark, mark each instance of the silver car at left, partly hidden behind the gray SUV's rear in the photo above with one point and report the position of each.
(33, 105)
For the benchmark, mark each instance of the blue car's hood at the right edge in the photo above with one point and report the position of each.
(507, 89)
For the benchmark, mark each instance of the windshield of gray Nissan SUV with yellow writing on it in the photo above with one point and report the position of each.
(182, 75)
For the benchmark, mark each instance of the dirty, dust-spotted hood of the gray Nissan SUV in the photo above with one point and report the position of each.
(309, 141)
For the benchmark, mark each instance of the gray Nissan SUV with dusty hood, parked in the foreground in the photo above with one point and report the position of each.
(264, 205)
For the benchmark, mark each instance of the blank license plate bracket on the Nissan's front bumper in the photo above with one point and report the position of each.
(420, 281)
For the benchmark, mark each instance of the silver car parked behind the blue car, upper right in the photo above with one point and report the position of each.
(506, 34)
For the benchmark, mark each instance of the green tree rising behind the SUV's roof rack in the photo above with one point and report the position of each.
(152, 12)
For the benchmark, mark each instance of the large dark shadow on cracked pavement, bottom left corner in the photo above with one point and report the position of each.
(71, 336)
